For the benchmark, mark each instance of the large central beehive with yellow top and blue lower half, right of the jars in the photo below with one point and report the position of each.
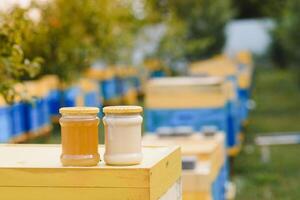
(189, 102)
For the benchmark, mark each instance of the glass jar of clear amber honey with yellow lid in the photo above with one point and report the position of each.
(79, 136)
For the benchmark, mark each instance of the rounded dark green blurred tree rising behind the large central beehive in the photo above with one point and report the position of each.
(194, 28)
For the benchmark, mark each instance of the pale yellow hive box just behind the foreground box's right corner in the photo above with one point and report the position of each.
(210, 151)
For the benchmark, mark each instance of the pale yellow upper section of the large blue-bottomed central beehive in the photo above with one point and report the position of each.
(186, 92)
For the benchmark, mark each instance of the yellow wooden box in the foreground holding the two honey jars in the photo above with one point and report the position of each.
(34, 172)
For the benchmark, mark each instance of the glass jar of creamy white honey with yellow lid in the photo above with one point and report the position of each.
(123, 127)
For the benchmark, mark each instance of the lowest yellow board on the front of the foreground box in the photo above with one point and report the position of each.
(59, 193)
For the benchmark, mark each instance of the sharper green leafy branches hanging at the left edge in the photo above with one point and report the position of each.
(14, 66)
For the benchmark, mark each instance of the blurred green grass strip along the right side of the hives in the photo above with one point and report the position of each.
(277, 98)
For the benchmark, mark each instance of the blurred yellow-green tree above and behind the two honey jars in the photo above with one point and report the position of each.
(72, 34)
